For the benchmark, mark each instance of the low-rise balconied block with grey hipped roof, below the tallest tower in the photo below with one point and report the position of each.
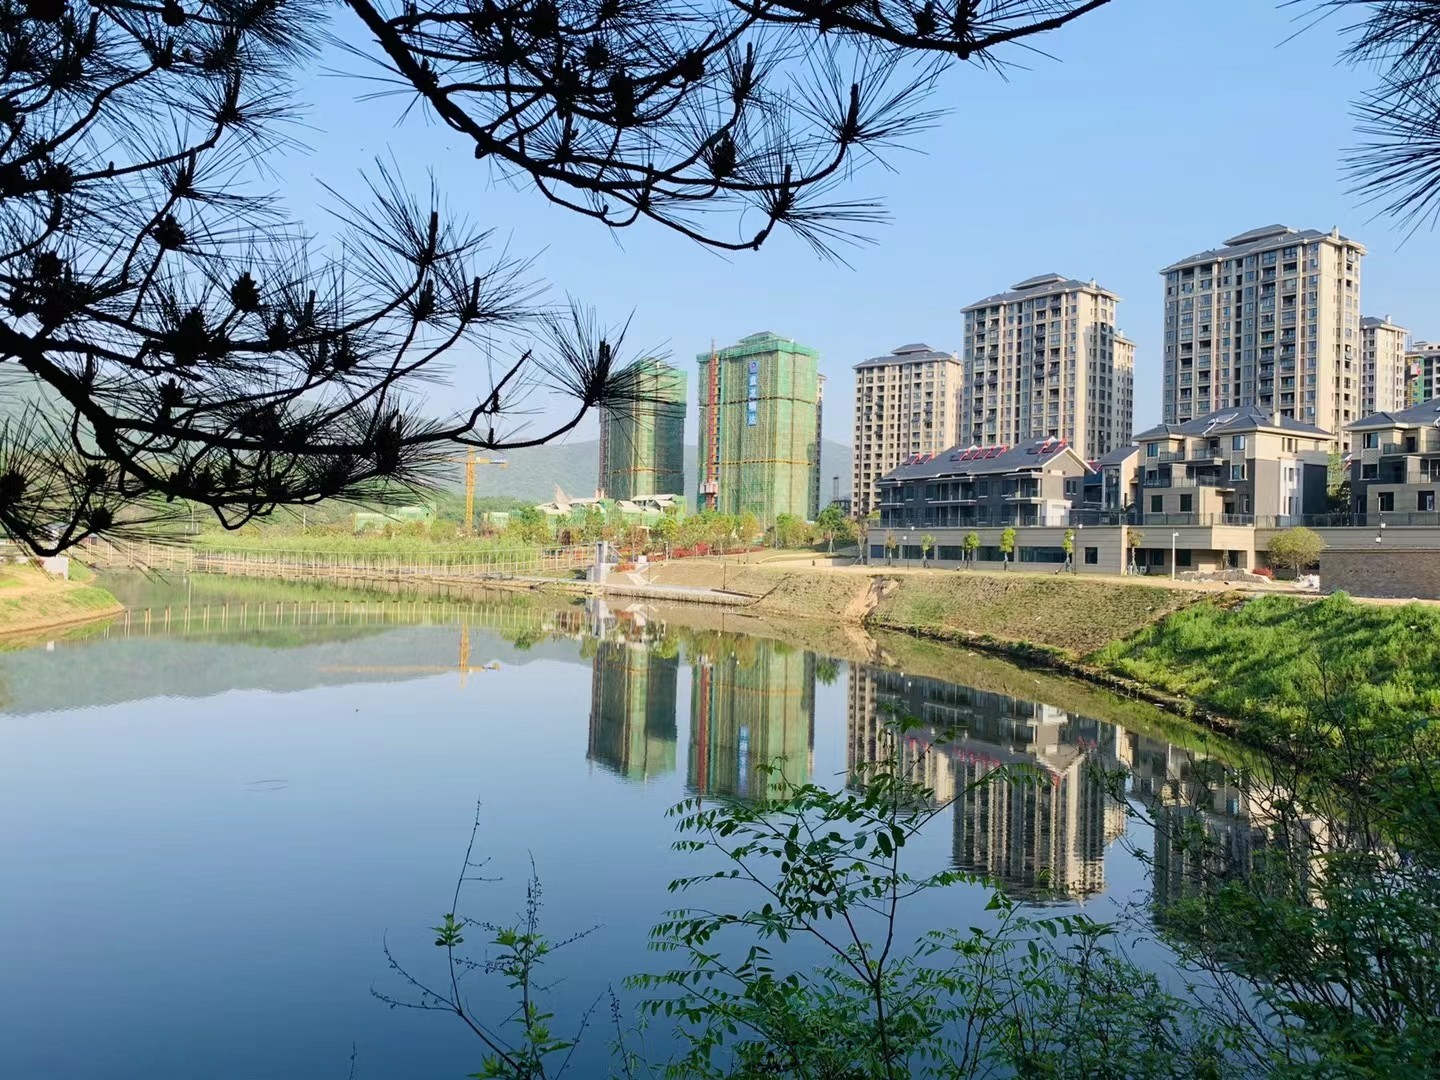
(1232, 467)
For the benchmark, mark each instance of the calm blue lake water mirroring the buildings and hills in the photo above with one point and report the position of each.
(217, 814)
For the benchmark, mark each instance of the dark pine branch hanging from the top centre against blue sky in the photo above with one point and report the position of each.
(679, 113)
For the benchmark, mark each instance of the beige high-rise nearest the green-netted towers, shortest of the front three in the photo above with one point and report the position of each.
(906, 404)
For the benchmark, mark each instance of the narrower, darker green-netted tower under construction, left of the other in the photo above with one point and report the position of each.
(643, 440)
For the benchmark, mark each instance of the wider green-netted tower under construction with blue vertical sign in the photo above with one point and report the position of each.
(761, 428)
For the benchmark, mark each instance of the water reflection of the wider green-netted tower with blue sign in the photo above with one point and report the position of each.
(750, 712)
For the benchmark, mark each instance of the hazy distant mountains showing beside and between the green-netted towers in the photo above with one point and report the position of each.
(535, 473)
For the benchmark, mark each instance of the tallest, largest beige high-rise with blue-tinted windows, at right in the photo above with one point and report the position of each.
(1271, 319)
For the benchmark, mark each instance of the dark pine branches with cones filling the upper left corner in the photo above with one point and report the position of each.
(171, 336)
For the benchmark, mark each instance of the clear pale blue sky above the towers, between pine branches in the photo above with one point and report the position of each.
(1160, 129)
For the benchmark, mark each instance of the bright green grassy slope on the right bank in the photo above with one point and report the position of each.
(1274, 657)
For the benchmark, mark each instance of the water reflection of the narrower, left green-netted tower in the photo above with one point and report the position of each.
(633, 711)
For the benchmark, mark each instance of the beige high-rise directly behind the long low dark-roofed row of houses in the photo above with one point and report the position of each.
(1046, 359)
